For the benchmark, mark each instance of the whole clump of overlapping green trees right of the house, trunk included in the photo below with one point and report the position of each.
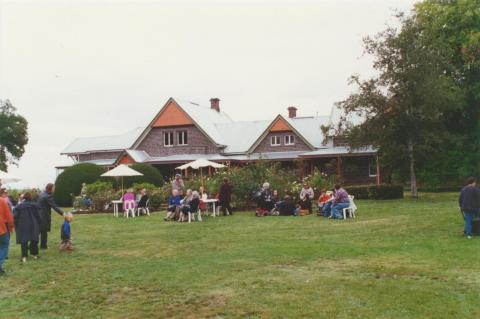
(422, 111)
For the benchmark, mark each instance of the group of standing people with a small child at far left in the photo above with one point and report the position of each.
(31, 220)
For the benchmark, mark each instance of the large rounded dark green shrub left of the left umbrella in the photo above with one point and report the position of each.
(69, 182)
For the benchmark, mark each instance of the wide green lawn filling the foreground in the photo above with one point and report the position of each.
(398, 259)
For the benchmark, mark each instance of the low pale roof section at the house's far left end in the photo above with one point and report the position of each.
(103, 143)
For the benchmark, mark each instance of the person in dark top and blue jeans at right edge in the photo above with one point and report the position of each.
(469, 203)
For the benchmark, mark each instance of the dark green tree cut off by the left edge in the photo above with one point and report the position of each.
(13, 134)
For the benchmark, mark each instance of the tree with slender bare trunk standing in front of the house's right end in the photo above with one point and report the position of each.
(404, 105)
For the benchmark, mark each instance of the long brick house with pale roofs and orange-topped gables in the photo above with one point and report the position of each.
(184, 131)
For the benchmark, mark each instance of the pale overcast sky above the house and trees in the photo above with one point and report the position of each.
(93, 68)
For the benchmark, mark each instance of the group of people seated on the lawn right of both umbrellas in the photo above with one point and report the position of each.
(330, 204)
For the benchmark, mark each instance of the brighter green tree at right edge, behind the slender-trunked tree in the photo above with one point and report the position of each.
(453, 28)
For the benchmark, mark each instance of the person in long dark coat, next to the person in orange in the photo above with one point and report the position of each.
(27, 226)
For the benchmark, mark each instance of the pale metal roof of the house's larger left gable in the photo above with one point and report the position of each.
(204, 118)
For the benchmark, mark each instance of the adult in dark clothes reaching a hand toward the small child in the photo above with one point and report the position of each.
(46, 203)
